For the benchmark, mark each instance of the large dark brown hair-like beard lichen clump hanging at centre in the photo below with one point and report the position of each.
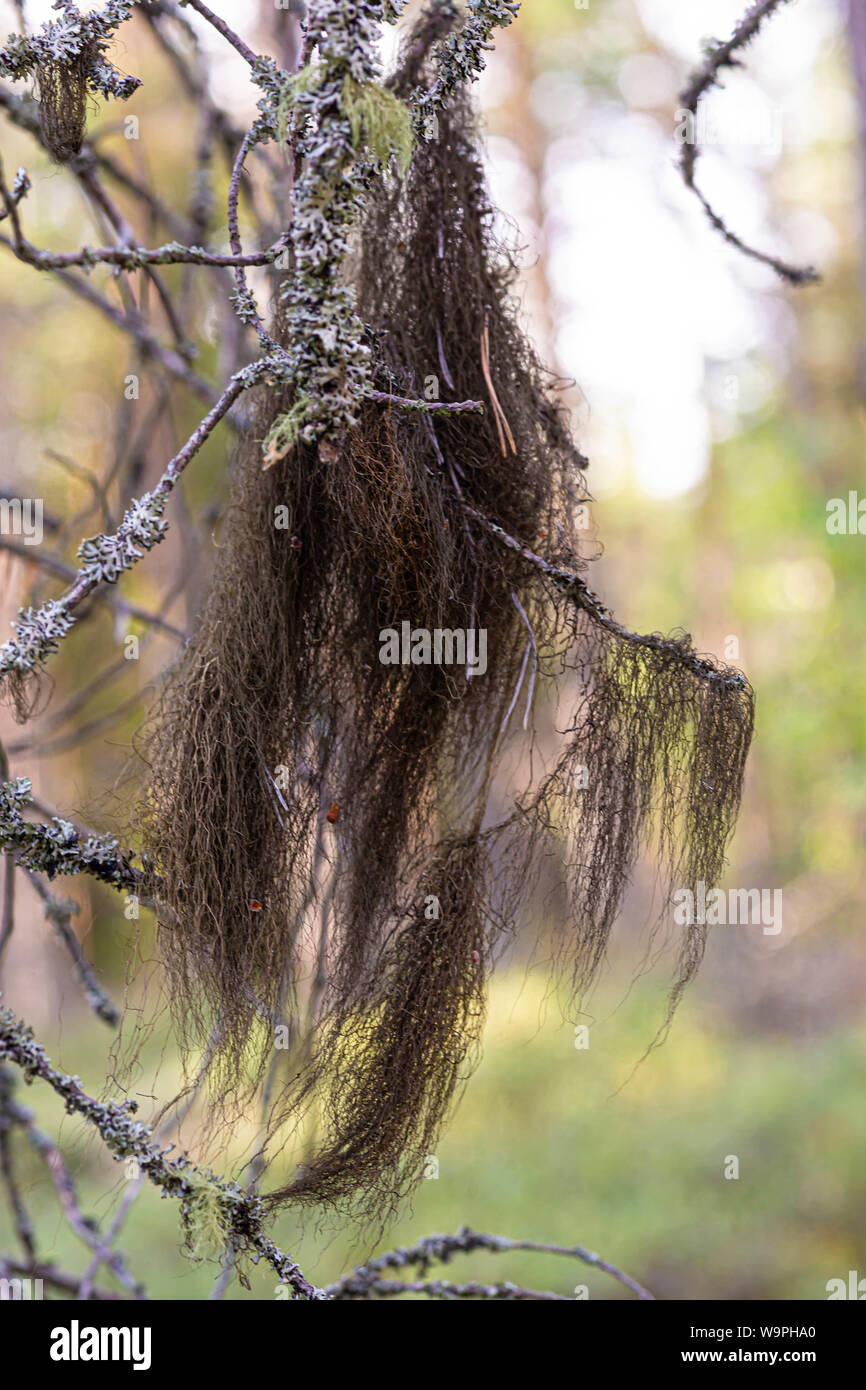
(275, 911)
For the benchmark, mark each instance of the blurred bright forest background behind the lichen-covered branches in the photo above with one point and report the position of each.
(721, 412)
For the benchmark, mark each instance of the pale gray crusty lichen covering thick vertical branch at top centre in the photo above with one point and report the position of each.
(343, 130)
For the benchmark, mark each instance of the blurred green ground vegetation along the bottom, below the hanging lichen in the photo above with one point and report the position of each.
(561, 1145)
